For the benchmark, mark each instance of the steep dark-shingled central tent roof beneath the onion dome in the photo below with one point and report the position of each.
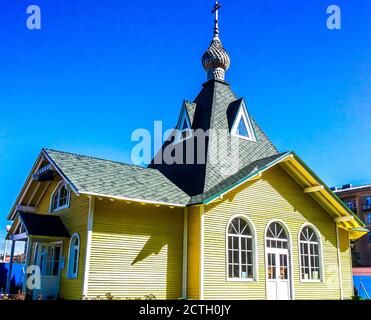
(214, 109)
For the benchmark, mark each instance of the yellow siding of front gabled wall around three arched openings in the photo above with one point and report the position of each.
(275, 196)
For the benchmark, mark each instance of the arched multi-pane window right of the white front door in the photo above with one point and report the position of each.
(309, 254)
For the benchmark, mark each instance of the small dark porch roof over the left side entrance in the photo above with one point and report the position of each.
(41, 225)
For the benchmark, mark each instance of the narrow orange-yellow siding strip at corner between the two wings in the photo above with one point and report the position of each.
(193, 282)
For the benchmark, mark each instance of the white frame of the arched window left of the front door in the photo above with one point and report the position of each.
(254, 249)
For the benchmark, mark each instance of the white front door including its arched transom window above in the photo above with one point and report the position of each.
(277, 263)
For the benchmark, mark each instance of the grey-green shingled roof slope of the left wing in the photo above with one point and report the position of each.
(115, 179)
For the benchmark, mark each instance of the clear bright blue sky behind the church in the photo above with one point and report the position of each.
(97, 70)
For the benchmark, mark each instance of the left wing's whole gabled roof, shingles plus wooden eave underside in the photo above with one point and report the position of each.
(97, 177)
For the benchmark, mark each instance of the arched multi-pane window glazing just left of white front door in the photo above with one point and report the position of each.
(240, 250)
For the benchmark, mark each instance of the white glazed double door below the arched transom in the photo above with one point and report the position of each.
(278, 286)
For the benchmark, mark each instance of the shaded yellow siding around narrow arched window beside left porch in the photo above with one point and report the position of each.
(75, 218)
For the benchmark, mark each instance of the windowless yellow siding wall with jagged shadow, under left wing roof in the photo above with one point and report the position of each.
(136, 251)
